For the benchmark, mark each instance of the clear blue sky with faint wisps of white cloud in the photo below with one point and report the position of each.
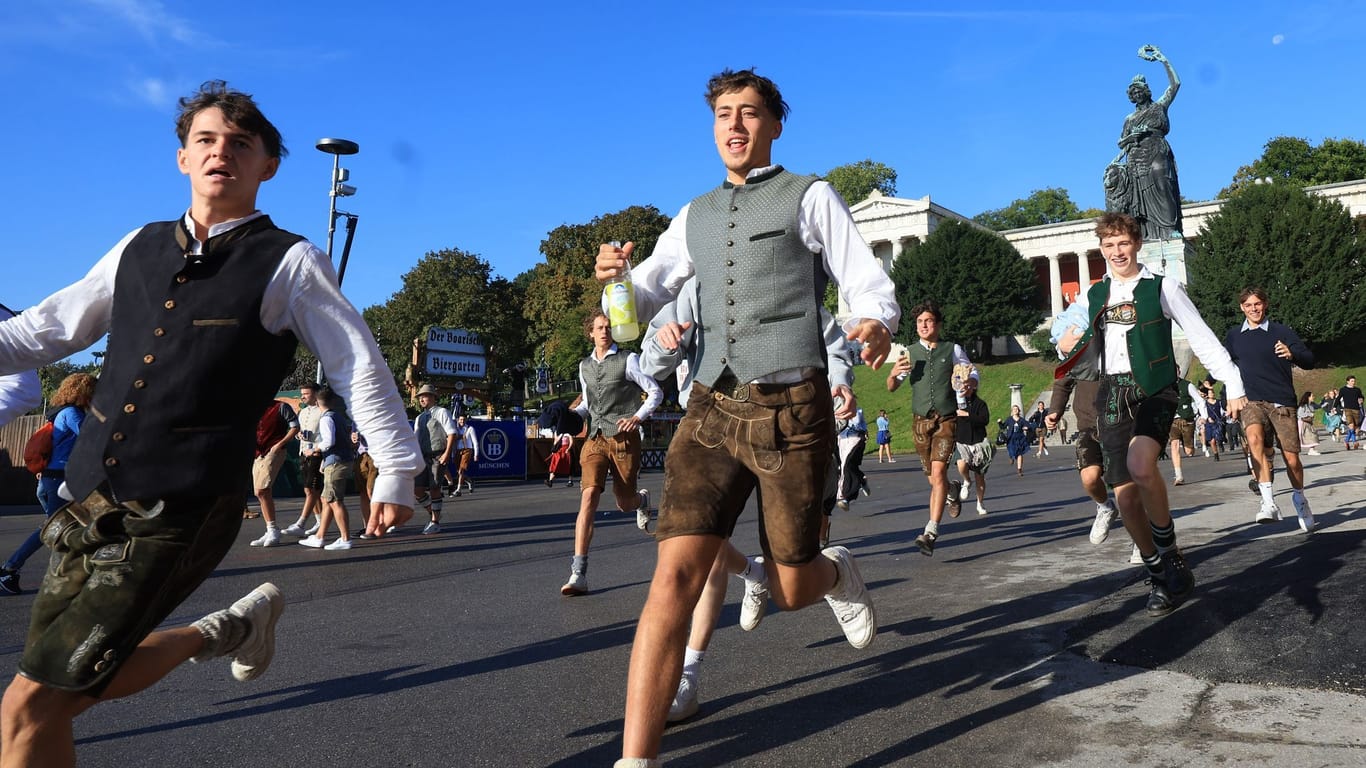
(484, 126)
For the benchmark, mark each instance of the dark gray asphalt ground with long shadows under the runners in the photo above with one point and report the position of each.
(1017, 644)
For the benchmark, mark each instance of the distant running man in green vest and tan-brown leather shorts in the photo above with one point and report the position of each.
(930, 366)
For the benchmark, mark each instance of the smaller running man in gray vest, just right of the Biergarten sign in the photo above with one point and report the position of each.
(613, 383)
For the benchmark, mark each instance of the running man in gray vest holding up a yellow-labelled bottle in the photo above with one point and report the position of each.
(760, 415)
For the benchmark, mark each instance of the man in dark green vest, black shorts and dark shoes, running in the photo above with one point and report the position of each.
(1130, 340)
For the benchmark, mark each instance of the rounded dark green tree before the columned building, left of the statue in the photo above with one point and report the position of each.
(984, 286)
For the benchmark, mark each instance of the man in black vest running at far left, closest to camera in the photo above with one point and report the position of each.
(203, 316)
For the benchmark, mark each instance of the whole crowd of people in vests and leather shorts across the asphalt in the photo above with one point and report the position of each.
(221, 296)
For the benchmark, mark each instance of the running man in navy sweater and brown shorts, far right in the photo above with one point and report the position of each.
(1267, 353)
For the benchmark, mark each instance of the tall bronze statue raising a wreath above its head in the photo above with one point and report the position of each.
(1141, 181)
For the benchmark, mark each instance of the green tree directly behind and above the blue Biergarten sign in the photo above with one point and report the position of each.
(457, 290)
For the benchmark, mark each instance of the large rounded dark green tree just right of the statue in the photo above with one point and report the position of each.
(1300, 248)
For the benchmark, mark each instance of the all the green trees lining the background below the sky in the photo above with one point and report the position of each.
(1305, 251)
